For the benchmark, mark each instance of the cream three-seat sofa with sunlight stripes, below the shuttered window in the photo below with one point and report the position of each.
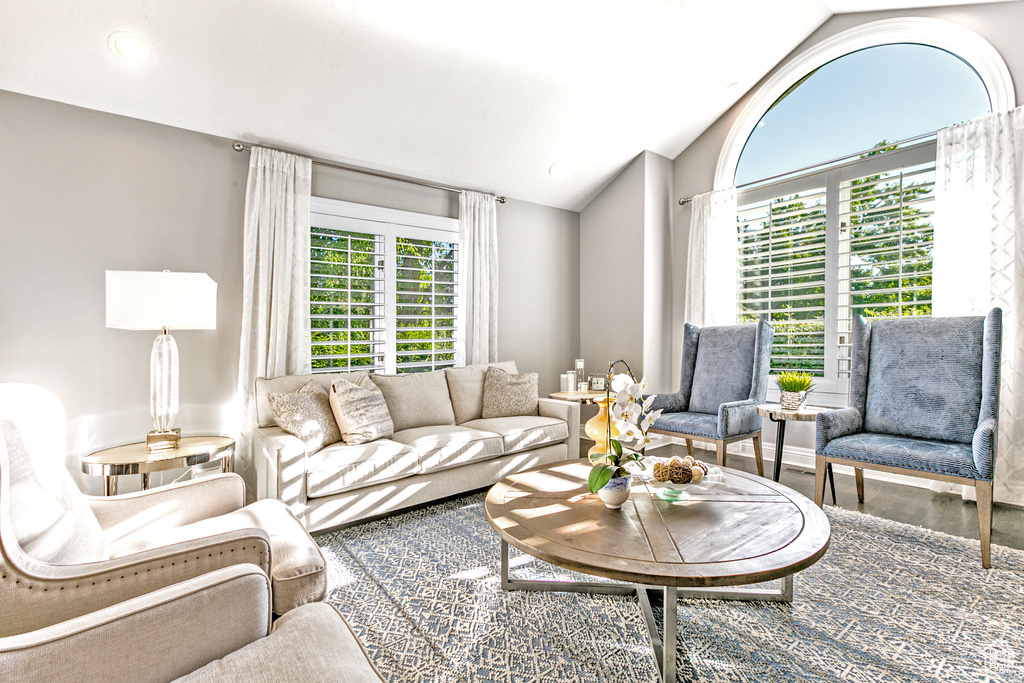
(442, 447)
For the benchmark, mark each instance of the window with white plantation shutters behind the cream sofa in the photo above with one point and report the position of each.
(383, 289)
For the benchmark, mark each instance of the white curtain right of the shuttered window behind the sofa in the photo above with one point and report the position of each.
(479, 279)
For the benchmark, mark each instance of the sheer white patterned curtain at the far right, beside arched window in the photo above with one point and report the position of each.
(979, 259)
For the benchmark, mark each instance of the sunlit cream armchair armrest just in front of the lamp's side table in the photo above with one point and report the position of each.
(168, 507)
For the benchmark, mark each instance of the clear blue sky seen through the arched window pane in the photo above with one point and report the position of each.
(888, 93)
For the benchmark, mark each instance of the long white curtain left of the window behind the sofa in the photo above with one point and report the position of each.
(276, 274)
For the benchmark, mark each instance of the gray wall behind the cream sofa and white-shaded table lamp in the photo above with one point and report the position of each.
(83, 192)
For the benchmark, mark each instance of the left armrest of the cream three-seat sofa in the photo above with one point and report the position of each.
(280, 460)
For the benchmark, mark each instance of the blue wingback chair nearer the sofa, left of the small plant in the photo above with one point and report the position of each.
(723, 378)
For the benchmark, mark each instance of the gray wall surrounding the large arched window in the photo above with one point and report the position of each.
(694, 170)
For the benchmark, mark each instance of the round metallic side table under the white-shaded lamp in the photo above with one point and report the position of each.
(137, 459)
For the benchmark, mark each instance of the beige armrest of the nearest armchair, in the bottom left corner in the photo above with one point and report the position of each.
(155, 637)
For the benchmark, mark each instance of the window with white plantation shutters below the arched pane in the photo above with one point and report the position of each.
(850, 239)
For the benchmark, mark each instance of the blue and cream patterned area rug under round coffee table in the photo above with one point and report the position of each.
(888, 603)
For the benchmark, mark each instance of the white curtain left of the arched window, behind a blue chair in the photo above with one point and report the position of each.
(711, 260)
